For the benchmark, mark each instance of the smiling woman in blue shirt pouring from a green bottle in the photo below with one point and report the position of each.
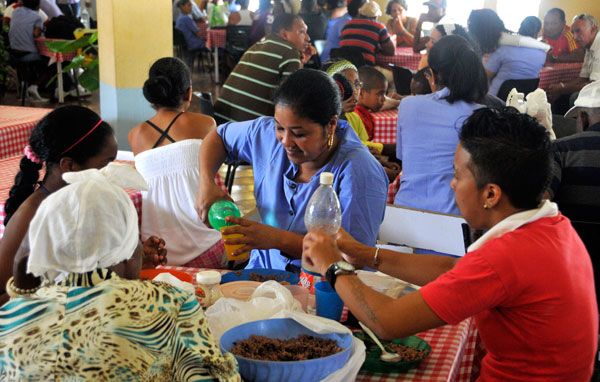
(288, 152)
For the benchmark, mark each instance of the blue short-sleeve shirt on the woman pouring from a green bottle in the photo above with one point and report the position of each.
(359, 181)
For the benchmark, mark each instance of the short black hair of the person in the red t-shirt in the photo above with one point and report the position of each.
(511, 150)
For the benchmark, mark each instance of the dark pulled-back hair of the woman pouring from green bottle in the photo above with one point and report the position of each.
(311, 94)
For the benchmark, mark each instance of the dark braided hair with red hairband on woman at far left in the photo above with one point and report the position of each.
(53, 134)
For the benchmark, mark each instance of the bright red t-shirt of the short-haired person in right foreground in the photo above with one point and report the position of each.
(532, 294)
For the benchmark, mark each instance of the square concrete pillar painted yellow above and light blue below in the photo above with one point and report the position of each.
(132, 34)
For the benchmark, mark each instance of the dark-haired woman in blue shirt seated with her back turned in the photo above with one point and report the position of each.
(428, 125)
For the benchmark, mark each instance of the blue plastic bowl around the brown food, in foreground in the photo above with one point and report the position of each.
(297, 371)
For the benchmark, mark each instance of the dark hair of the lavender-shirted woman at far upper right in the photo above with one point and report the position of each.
(486, 27)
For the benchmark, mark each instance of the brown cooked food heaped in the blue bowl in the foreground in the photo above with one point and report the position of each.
(301, 348)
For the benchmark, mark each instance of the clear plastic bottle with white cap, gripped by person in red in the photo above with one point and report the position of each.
(323, 212)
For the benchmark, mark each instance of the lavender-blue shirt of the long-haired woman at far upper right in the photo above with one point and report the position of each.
(514, 63)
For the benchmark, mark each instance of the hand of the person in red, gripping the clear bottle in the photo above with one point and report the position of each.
(320, 250)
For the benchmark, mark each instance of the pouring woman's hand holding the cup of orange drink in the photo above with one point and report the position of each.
(256, 235)
